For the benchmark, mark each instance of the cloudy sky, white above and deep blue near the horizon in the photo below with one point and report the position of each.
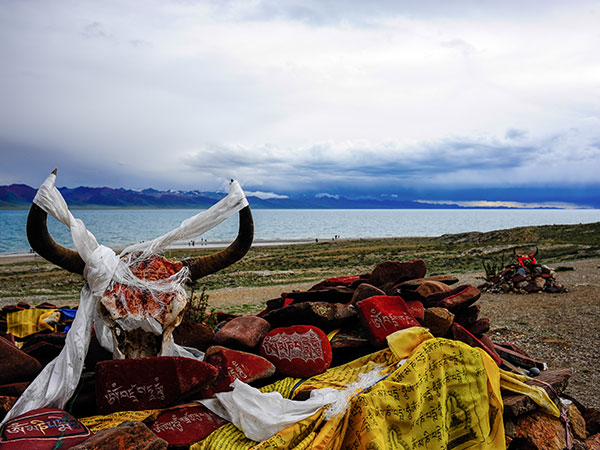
(432, 100)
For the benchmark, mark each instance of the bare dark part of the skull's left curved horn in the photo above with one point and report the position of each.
(43, 244)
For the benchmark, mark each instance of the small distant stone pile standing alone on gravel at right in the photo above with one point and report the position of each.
(526, 278)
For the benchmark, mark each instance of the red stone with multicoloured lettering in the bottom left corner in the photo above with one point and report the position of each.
(43, 429)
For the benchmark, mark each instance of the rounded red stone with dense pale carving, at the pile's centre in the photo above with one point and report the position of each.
(297, 351)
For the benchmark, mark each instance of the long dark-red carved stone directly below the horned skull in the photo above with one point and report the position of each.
(148, 383)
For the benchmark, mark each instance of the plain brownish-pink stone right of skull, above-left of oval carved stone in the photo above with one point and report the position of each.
(244, 332)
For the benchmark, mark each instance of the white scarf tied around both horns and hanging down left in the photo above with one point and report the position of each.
(57, 382)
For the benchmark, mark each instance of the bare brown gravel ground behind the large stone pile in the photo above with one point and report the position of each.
(560, 329)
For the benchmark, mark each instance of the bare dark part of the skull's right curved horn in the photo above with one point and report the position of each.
(205, 265)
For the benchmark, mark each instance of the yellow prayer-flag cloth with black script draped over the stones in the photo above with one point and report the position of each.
(446, 395)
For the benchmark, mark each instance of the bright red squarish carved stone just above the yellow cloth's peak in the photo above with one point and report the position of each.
(382, 315)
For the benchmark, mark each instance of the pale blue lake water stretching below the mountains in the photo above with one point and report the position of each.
(119, 227)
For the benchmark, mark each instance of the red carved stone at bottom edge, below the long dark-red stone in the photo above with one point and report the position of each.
(186, 425)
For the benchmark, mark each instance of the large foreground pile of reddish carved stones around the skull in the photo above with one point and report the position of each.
(299, 334)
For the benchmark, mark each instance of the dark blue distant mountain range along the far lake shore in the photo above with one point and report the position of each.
(20, 196)
